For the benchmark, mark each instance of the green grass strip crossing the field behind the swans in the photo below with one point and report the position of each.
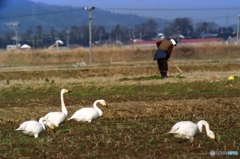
(180, 90)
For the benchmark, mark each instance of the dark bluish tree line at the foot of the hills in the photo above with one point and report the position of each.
(38, 38)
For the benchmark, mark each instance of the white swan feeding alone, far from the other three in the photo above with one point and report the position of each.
(188, 129)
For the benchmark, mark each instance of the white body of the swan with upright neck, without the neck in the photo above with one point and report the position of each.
(56, 117)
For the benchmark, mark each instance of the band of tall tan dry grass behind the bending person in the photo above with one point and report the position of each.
(113, 54)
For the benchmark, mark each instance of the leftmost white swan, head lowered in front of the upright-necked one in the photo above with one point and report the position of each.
(34, 128)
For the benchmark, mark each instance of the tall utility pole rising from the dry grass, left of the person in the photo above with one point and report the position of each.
(89, 9)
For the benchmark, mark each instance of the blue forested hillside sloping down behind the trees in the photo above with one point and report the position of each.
(30, 15)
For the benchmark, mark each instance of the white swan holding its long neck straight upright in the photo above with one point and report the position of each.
(58, 117)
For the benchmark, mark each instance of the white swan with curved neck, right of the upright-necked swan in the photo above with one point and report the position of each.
(89, 113)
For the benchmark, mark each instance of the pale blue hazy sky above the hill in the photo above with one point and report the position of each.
(223, 12)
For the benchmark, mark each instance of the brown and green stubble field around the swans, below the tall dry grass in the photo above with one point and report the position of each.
(141, 110)
